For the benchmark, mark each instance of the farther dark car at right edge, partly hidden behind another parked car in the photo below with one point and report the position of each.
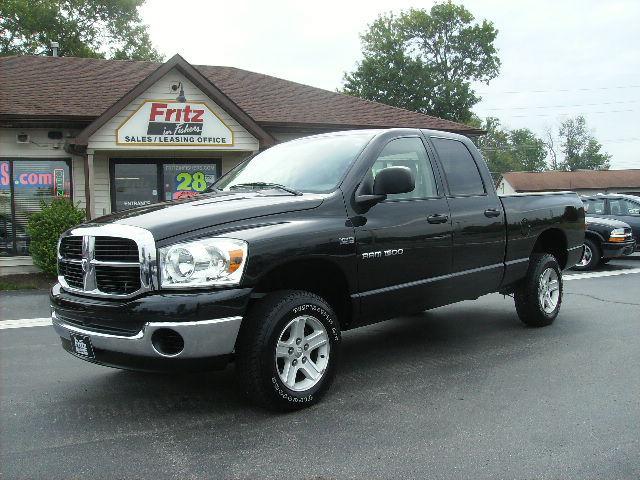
(617, 206)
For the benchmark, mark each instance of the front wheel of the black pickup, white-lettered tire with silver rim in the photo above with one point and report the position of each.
(288, 350)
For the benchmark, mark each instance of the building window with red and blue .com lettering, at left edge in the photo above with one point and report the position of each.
(24, 185)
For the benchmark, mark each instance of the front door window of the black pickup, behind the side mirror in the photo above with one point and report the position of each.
(408, 152)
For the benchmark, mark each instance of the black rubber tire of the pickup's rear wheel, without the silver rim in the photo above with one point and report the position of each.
(527, 293)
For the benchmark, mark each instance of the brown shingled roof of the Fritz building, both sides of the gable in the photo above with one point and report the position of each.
(81, 89)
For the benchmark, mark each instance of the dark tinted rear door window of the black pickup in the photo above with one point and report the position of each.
(460, 168)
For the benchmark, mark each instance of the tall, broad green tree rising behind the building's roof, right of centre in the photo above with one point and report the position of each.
(425, 61)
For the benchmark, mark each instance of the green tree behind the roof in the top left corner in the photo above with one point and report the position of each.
(83, 28)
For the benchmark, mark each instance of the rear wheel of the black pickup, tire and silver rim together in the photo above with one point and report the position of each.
(539, 295)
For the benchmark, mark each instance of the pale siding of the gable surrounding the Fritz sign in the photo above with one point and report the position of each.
(105, 137)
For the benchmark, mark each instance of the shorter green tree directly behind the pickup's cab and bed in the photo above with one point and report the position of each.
(510, 150)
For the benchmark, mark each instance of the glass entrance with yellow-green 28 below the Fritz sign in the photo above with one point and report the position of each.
(138, 182)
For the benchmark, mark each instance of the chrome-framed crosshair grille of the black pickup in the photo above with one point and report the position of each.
(107, 261)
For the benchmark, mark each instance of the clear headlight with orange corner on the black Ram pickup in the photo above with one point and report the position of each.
(203, 263)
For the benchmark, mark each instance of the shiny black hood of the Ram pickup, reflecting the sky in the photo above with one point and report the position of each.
(168, 219)
